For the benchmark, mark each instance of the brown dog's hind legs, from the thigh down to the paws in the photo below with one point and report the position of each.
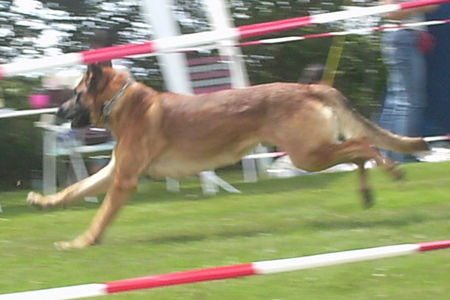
(311, 141)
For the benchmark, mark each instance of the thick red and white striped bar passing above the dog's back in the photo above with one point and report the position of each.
(196, 39)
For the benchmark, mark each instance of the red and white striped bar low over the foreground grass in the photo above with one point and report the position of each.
(226, 272)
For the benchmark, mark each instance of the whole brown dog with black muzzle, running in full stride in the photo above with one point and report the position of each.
(173, 135)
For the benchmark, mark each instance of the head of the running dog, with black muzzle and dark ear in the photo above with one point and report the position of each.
(98, 86)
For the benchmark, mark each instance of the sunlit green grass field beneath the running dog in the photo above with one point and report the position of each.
(161, 232)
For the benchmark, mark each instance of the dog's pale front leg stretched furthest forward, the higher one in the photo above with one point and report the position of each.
(93, 185)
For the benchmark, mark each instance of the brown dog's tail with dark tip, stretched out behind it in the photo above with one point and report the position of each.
(352, 124)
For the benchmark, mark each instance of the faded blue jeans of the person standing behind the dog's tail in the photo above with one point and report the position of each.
(405, 102)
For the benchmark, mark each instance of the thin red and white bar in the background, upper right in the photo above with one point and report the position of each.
(340, 33)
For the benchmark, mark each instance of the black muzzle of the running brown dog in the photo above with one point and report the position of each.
(74, 110)
